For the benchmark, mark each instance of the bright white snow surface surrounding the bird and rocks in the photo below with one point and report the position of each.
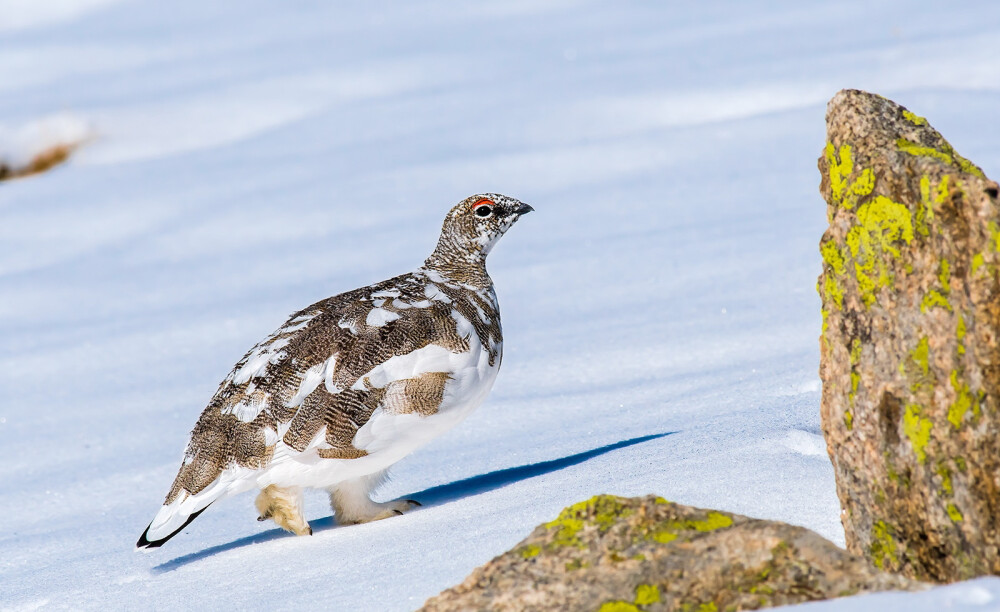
(253, 157)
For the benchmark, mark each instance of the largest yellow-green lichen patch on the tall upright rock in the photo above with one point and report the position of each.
(882, 224)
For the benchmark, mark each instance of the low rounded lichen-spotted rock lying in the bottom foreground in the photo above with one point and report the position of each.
(612, 554)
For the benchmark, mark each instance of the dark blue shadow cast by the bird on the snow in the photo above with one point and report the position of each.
(433, 496)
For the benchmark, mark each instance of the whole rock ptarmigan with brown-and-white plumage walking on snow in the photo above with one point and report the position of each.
(351, 385)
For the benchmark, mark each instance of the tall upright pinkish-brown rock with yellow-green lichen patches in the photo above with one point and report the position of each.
(909, 355)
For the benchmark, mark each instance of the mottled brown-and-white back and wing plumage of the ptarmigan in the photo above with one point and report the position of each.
(302, 378)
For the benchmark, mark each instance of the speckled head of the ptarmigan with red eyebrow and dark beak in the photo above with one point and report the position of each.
(473, 227)
